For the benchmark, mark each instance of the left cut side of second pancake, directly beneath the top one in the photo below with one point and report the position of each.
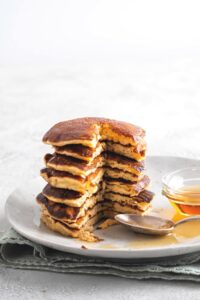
(81, 152)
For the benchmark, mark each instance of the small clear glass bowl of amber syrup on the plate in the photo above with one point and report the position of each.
(182, 189)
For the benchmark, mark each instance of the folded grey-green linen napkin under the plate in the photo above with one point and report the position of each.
(20, 253)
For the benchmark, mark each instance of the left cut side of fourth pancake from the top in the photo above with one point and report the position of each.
(65, 180)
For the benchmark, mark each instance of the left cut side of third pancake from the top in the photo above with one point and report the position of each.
(72, 165)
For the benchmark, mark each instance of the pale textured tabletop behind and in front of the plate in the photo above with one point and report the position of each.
(163, 99)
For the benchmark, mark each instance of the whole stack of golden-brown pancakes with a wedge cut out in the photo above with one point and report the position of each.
(95, 173)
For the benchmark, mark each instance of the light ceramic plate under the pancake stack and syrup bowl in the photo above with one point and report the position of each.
(23, 214)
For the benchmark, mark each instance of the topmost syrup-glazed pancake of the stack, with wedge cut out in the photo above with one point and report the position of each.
(88, 131)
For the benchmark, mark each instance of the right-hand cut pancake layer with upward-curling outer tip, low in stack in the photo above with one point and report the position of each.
(125, 187)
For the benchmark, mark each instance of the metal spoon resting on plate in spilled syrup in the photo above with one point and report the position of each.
(150, 224)
